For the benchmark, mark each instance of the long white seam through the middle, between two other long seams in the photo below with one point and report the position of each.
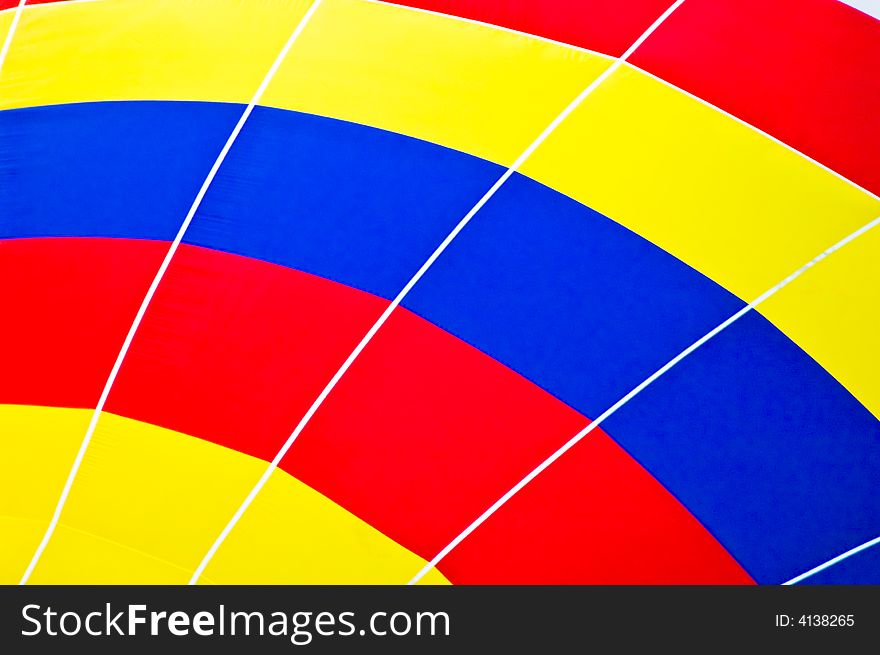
(412, 282)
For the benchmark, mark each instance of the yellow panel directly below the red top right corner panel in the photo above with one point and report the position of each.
(738, 207)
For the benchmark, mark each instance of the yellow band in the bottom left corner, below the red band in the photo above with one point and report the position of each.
(149, 502)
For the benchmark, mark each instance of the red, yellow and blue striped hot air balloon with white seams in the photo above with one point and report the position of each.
(439, 291)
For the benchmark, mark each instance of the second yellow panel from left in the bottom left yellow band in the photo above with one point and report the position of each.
(146, 505)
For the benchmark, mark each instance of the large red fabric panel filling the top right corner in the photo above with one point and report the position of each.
(805, 71)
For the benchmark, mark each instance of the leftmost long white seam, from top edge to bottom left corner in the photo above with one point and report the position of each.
(156, 280)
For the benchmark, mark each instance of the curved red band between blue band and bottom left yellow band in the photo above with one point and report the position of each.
(421, 435)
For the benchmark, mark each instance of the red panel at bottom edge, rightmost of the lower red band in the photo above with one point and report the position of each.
(594, 517)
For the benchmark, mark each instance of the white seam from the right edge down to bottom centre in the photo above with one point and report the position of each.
(634, 392)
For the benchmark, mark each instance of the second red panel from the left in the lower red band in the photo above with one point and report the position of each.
(234, 350)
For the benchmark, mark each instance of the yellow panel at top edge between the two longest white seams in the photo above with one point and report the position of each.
(481, 90)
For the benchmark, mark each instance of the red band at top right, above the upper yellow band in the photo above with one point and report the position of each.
(766, 63)
